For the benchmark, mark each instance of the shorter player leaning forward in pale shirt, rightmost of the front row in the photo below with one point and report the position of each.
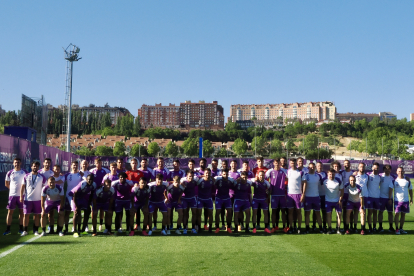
(354, 205)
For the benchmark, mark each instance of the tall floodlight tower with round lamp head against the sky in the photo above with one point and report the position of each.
(71, 55)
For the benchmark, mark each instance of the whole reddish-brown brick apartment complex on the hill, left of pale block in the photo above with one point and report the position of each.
(193, 115)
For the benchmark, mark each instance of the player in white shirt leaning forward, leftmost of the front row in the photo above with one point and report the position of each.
(54, 196)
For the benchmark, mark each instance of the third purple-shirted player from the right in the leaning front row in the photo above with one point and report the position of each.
(223, 185)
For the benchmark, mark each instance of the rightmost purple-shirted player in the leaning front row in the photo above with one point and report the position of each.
(260, 200)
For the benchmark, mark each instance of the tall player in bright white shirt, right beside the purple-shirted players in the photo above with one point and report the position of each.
(294, 194)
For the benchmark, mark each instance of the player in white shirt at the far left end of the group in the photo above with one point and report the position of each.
(14, 180)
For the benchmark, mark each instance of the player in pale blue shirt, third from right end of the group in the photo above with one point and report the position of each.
(374, 182)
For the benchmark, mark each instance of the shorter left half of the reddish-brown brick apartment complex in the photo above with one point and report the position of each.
(159, 115)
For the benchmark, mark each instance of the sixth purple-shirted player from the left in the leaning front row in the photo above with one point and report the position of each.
(175, 192)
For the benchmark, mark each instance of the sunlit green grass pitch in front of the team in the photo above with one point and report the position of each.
(204, 254)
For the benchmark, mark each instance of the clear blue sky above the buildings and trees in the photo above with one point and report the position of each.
(358, 54)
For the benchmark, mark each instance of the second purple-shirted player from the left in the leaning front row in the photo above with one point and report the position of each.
(103, 199)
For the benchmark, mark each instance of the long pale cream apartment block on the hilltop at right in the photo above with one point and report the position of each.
(309, 110)
